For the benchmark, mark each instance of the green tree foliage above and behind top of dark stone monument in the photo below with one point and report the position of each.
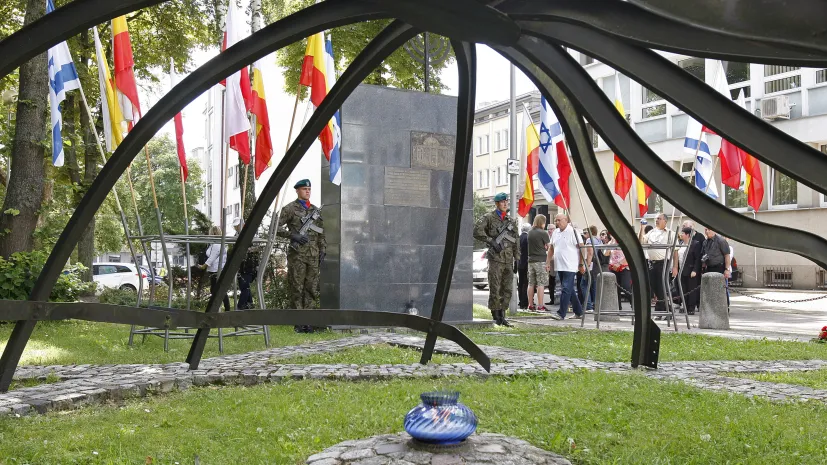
(398, 70)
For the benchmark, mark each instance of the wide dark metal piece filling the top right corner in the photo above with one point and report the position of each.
(769, 21)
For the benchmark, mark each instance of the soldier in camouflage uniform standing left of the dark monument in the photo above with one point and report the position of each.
(305, 254)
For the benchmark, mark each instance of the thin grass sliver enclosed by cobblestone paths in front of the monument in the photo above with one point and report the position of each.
(377, 354)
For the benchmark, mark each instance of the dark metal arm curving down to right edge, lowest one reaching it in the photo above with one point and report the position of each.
(591, 101)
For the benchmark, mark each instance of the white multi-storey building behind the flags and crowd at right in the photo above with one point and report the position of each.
(793, 99)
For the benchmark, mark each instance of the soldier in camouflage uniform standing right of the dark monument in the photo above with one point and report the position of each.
(502, 257)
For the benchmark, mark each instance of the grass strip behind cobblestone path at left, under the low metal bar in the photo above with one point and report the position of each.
(80, 342)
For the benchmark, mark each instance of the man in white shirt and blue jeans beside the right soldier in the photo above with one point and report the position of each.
(565, 250)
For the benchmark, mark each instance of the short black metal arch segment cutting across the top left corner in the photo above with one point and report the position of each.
(59, 25)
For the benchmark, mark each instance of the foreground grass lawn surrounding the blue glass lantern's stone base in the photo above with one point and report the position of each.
(590, 417)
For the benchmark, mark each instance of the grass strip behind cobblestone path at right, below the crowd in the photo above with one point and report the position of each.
(616, 346)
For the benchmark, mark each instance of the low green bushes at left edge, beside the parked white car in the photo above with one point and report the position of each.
(19, 272)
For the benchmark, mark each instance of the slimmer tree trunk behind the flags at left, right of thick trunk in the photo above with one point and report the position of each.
(86, 245)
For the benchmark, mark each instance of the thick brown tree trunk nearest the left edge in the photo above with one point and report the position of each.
(20, 211)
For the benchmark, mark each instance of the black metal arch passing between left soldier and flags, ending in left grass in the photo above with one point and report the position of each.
(391, 38)
